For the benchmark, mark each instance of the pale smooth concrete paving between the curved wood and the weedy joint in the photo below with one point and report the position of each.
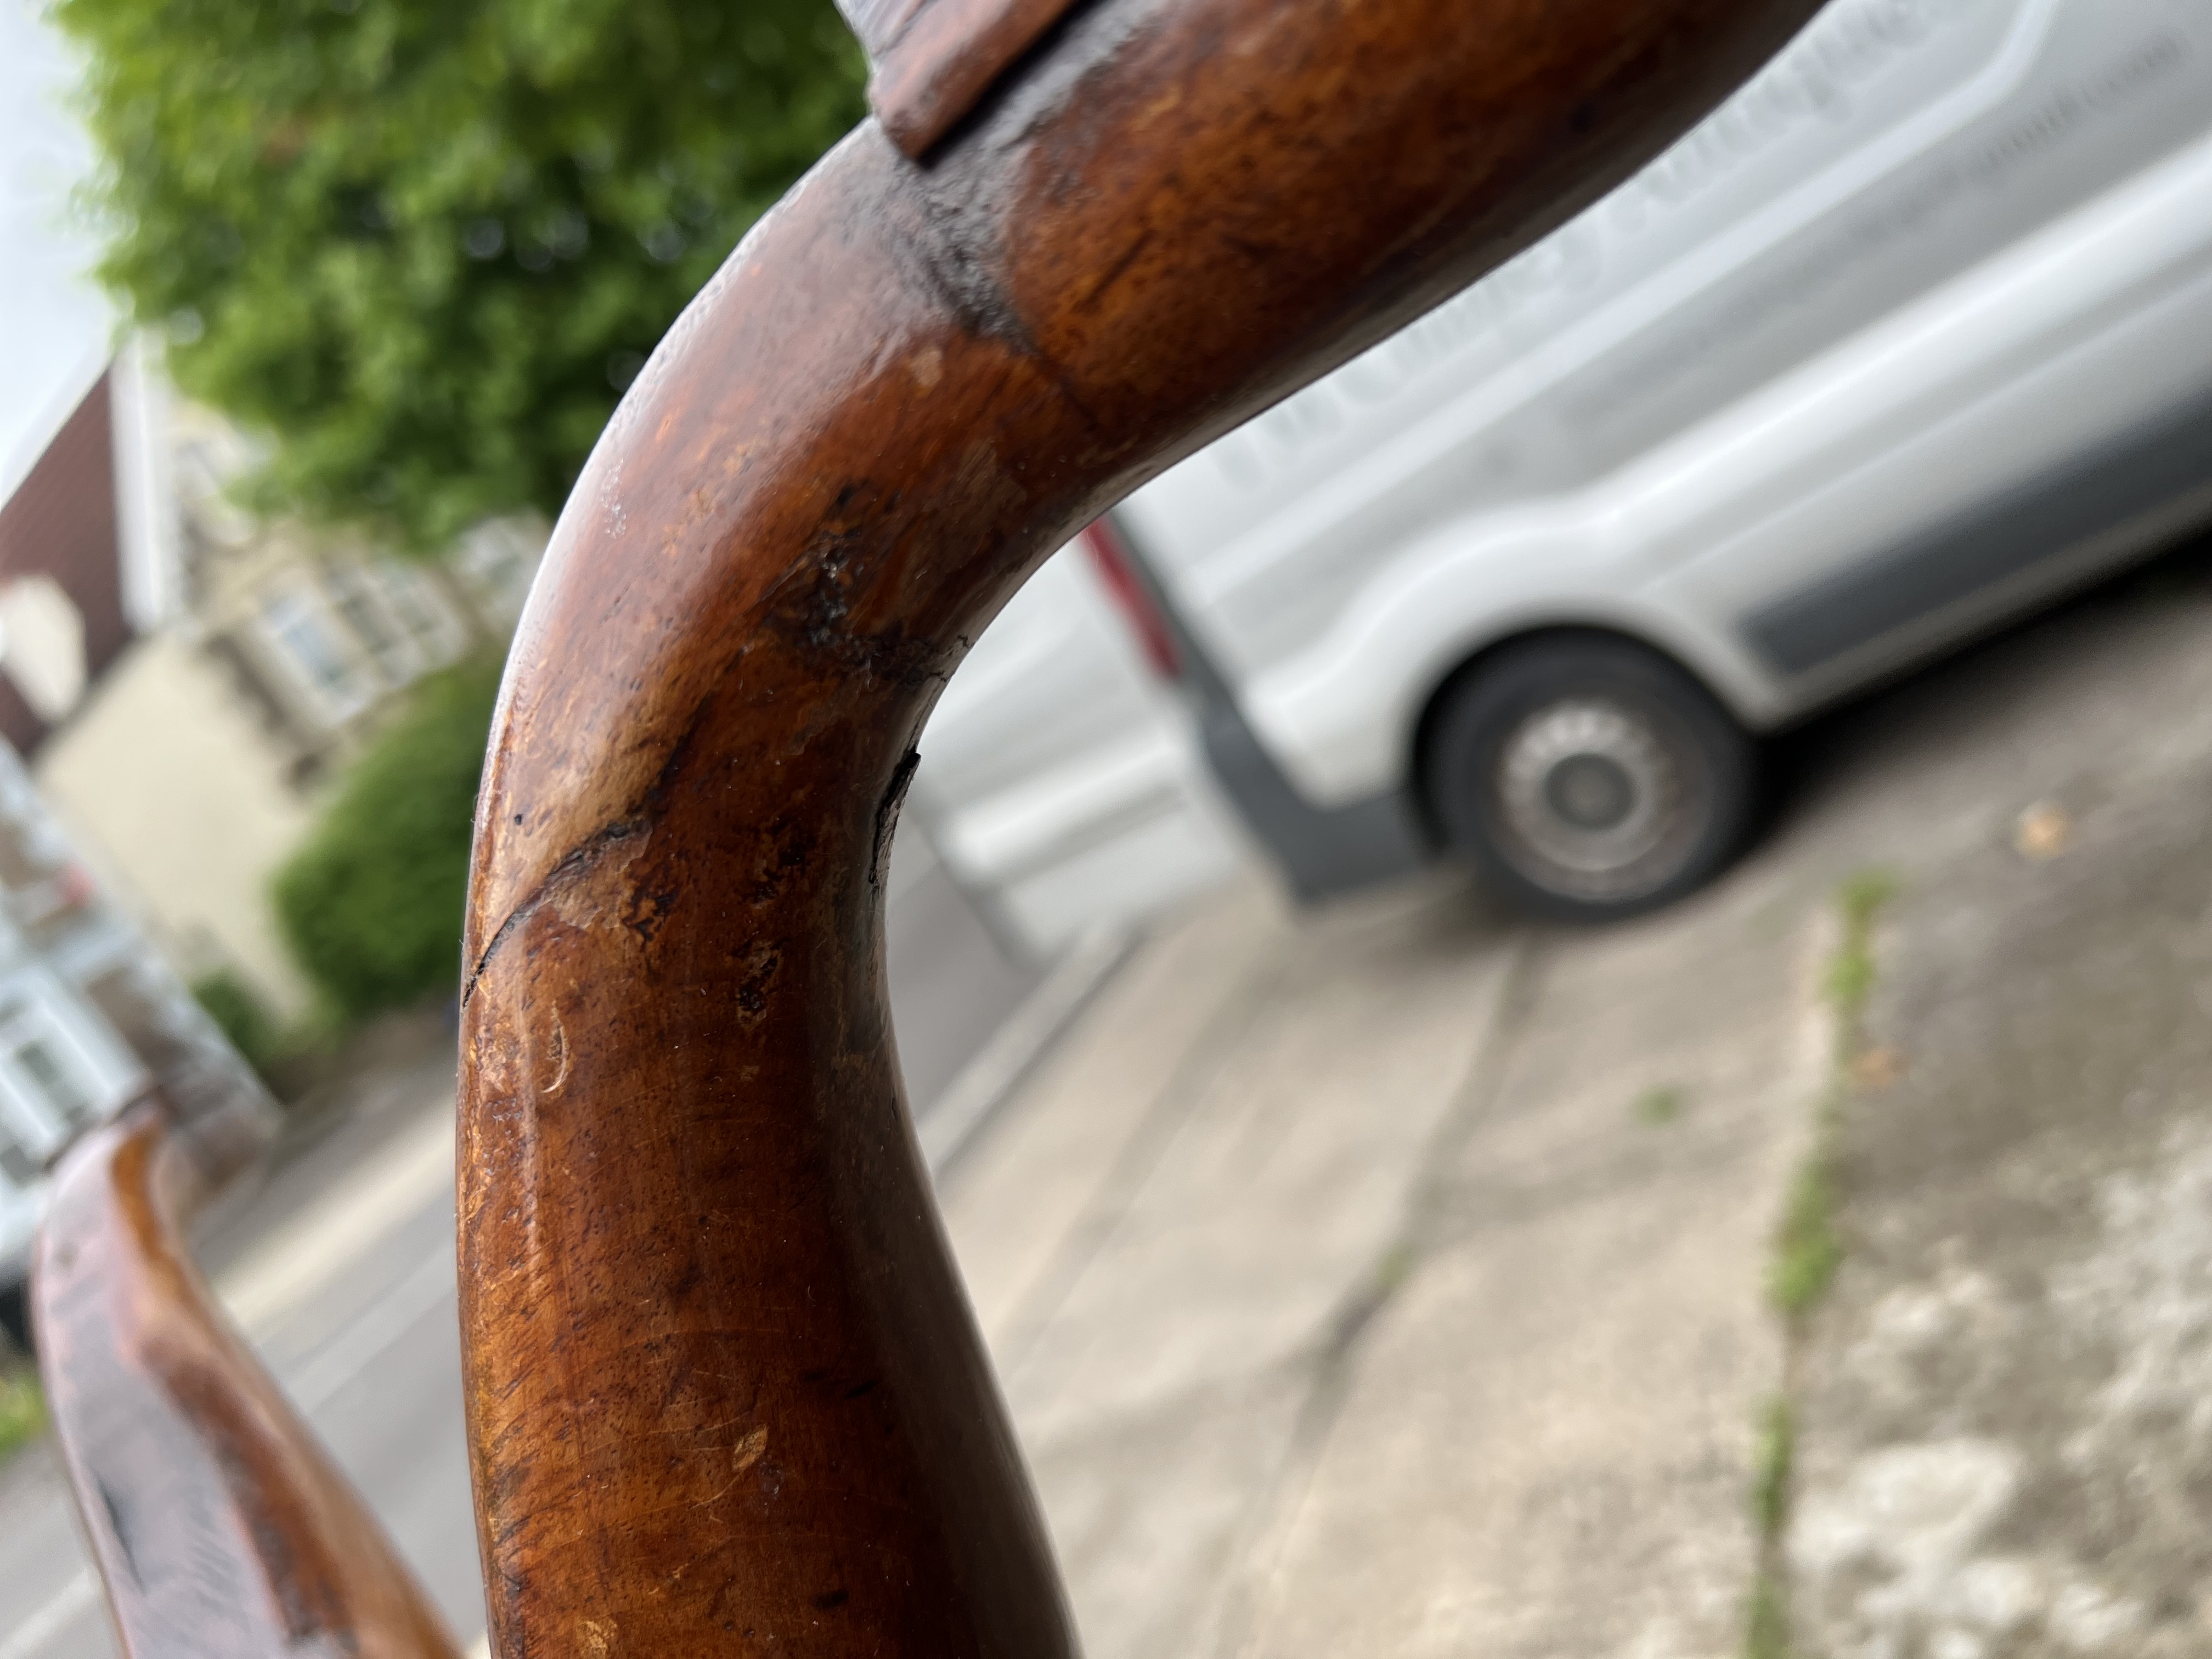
(1344, 1297)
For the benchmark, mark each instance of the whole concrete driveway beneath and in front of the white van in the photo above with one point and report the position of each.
(1395, 1280)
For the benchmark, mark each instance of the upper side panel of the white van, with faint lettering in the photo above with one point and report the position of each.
(1895, 145)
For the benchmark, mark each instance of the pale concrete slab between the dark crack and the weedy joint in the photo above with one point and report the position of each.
(1545, 1443)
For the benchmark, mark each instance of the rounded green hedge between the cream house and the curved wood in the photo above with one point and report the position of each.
(373, 901)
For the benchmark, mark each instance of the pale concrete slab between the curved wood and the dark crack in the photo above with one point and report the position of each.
(1171, 1227)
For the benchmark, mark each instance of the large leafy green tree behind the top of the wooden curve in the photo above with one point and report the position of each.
(424, 244)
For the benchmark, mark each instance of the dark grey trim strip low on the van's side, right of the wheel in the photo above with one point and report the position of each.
(2094, 494)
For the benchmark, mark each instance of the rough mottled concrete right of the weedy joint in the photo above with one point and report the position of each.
(2007, 1408)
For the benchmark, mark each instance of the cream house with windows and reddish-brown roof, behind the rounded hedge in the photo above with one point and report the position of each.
(185, 680)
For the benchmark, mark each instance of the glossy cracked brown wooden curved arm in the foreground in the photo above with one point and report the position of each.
(724, 1390)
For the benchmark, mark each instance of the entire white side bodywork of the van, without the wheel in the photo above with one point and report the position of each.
(1662, 377)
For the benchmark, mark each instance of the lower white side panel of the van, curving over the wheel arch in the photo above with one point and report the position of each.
(1999, 379)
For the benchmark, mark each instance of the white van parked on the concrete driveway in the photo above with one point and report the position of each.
(1908, 337)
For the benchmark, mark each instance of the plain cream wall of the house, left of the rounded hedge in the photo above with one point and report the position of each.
(169, 780)
